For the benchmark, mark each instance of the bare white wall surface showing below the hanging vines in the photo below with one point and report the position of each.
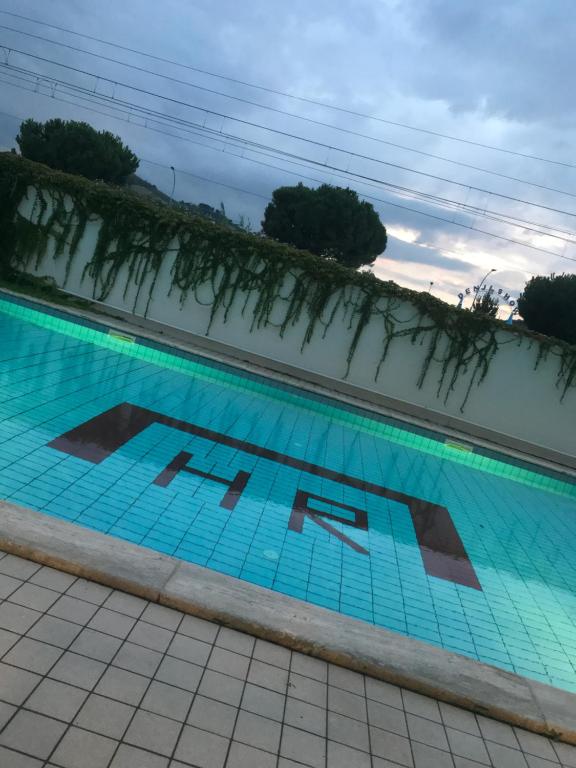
(514, 400)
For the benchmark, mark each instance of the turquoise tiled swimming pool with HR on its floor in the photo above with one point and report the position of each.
(396, 526)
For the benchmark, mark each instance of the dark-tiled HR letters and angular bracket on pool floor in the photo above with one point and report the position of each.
(441, 548)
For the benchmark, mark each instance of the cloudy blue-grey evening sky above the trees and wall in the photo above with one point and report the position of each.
(496, 74)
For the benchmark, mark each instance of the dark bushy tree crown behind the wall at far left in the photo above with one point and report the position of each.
(77, 148)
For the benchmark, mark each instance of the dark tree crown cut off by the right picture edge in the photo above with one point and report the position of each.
(548, 306)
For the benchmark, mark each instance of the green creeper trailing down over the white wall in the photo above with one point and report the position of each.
(284, 284)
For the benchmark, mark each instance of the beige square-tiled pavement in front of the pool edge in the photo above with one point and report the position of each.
(95, 678)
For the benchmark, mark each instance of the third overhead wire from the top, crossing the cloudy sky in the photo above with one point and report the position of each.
(285, 134)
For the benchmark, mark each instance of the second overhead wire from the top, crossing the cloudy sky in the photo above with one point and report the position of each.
(292, 115)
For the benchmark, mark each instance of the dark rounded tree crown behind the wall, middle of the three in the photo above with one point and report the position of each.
(328, 221)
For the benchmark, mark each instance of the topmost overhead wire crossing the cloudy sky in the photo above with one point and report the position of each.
(285, 94)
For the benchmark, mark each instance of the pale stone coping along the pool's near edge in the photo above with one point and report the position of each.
(289, 622)
